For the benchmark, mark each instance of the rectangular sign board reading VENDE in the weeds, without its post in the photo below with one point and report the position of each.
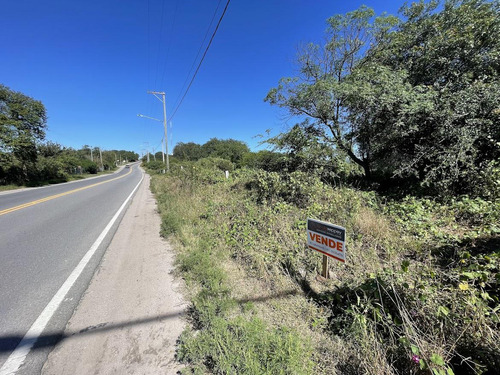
(326, 238)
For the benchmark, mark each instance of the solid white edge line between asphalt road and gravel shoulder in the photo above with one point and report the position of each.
(18, 356)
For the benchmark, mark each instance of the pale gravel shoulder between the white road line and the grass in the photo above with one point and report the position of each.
(130, 317)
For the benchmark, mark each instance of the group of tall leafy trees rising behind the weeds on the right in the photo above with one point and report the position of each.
(410, 101)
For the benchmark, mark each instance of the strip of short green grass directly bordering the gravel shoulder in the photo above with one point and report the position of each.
(222, 340)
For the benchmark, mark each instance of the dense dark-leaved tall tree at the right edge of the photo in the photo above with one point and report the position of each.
(452, 57)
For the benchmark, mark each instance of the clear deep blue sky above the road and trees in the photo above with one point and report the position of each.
(92, 62)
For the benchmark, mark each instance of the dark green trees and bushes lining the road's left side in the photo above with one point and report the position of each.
(27, 159)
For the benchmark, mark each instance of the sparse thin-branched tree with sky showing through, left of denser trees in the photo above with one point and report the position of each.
(319, 91)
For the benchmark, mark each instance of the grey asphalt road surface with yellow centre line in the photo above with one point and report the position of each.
(44, 234)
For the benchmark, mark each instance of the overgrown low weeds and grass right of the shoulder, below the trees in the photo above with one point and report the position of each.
(418, 294)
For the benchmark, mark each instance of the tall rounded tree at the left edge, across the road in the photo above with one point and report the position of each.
(23, 121)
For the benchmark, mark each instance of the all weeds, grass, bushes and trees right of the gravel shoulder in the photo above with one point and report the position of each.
(399, 142)
